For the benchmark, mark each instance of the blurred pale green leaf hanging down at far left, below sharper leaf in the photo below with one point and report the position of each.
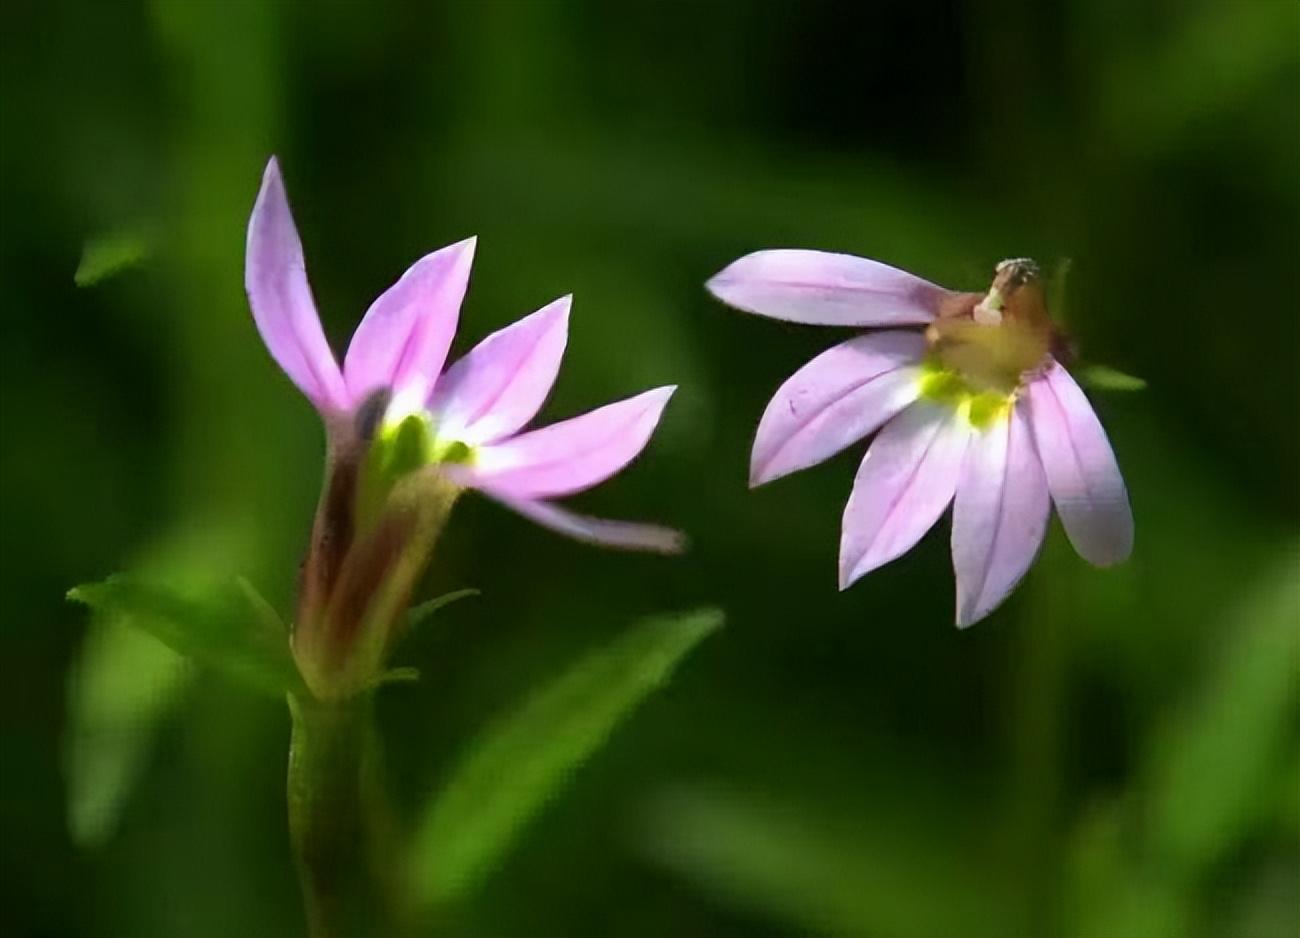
(123, 685)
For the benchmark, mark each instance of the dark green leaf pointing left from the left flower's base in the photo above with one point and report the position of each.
(219, 628)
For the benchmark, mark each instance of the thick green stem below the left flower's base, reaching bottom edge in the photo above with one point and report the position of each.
(326, 758)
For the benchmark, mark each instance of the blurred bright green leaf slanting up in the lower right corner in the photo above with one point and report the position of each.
(1138, 866)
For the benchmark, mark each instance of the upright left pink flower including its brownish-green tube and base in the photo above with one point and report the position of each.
(406, 438)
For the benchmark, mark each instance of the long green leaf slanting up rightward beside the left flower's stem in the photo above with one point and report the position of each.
(527, 757)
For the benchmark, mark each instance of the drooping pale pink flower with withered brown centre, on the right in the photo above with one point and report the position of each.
(973, 405)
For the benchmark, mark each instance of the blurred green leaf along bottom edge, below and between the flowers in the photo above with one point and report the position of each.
(826, 872)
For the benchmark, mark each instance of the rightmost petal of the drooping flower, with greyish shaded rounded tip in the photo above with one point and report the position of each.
(1081, 468)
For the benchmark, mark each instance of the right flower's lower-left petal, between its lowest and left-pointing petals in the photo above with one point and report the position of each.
(904, 485)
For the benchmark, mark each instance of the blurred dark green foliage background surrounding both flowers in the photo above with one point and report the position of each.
(1113, 753)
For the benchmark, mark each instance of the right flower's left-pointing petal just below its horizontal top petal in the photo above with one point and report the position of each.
(835, 401)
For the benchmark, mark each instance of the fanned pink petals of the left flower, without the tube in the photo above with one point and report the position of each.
(473, 414)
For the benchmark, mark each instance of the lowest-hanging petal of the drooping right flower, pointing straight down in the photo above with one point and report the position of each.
(999, 516)
